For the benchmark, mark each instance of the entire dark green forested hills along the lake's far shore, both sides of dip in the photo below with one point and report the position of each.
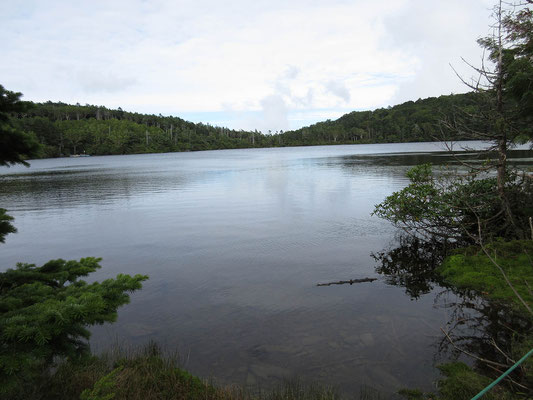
(64, 129)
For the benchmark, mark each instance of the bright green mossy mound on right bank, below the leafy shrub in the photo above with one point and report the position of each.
(470, 268)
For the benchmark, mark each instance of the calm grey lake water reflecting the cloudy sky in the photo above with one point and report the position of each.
(235, 242)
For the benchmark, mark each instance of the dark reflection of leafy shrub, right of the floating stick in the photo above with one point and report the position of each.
(411, 264)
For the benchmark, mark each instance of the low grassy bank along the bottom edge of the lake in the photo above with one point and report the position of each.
(147, 373)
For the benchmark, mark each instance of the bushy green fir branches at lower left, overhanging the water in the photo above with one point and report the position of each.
(45, 312)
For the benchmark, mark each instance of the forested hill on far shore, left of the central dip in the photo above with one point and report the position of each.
(65, 129)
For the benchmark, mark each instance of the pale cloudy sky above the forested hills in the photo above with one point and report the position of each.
(243, 64)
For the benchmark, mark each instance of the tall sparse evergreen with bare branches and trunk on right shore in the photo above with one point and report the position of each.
(505, 87)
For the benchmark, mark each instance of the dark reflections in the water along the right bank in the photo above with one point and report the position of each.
(488, 330)
